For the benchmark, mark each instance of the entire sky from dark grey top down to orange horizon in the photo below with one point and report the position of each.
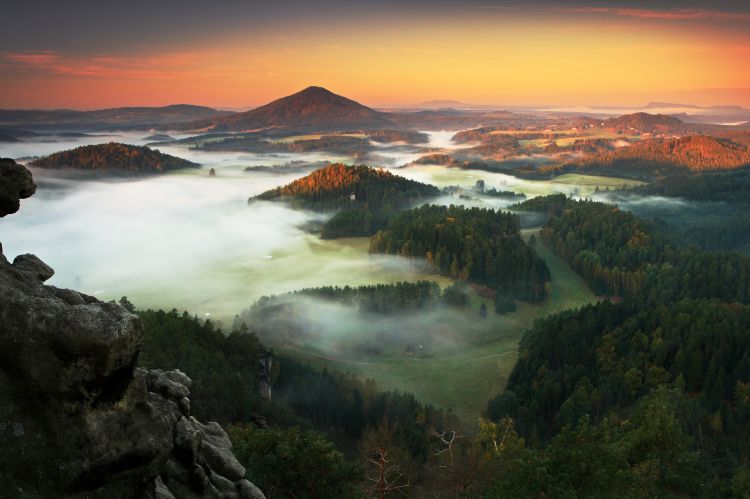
(82, 54)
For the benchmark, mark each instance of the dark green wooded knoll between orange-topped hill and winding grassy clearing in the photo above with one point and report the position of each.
(475, 244)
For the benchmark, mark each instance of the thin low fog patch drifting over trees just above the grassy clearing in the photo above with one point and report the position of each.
(345, 332)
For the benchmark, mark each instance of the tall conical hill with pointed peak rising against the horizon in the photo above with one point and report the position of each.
(312, 109)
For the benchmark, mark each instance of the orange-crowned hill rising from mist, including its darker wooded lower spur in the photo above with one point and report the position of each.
(365, 197)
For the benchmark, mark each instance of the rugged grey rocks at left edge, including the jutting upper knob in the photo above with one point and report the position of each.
(77, 418)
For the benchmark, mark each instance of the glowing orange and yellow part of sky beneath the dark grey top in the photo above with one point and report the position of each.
(561, 58)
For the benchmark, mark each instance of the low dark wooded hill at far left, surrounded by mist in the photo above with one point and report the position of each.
(114, 156)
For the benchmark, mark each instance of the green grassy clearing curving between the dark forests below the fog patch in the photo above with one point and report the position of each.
(463, 381)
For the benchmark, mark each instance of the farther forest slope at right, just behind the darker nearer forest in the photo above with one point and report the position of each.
(620, 254)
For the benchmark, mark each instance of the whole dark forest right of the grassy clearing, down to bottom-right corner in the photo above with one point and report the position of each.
(658, 383)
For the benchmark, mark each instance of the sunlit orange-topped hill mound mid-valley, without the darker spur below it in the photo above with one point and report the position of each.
(339, 186)
